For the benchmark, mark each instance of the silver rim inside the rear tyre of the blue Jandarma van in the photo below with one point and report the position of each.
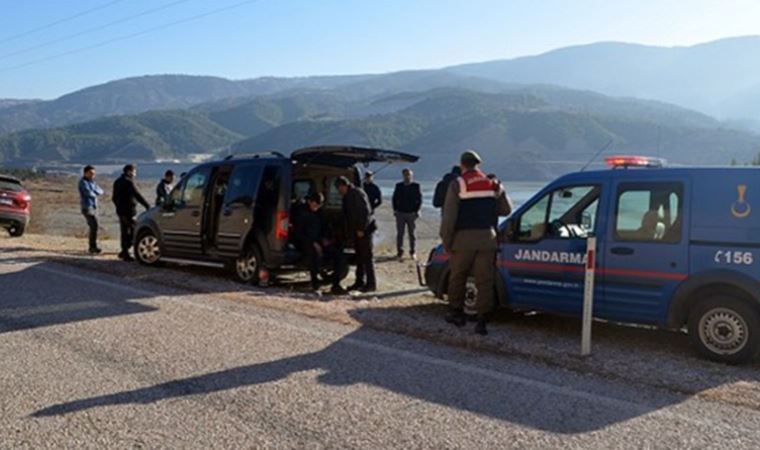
(723, 331)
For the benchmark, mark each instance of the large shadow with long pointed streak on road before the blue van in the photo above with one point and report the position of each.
(360, 358)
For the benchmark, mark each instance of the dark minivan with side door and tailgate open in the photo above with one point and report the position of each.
(235, 212)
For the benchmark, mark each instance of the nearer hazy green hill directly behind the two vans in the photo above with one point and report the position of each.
(531, 134)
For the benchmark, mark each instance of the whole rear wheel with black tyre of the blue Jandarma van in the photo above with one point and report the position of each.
(724, 329)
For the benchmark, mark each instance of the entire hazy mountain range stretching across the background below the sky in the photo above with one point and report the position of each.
(514, 110)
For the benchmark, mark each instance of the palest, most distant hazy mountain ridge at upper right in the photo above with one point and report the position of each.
(721, 78)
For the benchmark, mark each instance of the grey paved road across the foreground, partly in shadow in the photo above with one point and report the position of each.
(87, 361)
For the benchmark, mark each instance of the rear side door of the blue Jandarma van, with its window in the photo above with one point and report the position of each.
(646, 252)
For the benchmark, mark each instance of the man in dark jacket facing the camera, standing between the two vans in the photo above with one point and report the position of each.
(407, 202)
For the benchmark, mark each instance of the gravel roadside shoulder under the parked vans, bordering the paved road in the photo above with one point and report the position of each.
(639, 355)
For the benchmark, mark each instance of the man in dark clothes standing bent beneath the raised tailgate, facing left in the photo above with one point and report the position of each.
(360, 225)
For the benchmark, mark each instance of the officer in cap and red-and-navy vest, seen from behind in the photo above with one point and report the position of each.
(468, 230)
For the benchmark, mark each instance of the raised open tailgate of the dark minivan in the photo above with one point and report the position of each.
(346, 156)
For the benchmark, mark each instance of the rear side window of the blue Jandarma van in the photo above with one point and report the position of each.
(649, 212)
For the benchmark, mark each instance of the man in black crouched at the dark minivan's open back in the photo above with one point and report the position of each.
(314, 239)
